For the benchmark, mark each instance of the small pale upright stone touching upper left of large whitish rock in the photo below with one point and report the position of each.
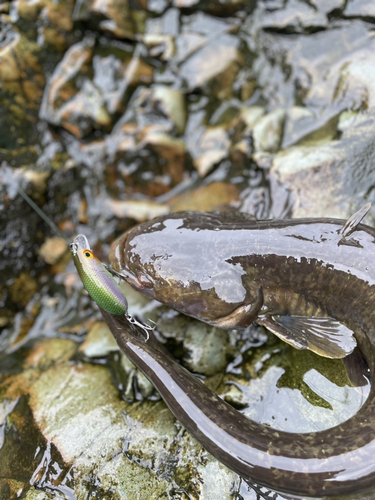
(268, 131)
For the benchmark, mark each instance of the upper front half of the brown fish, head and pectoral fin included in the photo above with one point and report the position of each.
(306, 279)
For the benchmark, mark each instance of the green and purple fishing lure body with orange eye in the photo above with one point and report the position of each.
(99, 283)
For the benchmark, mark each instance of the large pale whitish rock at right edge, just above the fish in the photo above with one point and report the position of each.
(345, 173)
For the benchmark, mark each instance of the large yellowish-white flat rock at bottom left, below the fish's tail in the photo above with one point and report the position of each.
(82, 418)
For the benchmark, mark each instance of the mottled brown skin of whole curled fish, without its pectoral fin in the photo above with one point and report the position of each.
(206, 265)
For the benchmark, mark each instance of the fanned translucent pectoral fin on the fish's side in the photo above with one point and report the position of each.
(325, 336)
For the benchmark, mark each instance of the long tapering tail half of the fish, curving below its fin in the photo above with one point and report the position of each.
(335, 463)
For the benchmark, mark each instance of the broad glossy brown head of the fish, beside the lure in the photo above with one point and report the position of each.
(173, 259)
